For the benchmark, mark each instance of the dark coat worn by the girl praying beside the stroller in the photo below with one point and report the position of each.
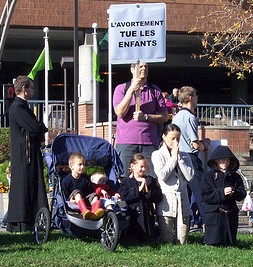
(141, 205)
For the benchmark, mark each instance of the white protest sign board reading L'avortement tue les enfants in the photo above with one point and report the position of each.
(137, 33)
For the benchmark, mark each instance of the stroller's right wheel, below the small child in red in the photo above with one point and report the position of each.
(110, 231)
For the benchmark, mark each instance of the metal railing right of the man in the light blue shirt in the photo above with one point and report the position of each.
(225, 115)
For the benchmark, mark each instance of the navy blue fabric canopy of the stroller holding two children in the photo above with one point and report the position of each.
(97, 151)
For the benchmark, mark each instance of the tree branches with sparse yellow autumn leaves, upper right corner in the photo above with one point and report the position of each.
(227, 38)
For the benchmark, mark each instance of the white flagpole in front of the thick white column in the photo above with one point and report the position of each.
(95, 51)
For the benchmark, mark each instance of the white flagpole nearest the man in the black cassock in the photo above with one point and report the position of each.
(46, 31)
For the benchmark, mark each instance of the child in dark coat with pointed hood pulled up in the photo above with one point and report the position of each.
(221, 187)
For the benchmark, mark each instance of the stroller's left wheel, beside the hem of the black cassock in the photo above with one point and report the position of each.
(42, 225)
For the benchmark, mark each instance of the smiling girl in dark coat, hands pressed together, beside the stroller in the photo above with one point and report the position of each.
(140, 192)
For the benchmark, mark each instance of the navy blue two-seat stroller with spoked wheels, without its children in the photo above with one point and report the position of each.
(98, 152)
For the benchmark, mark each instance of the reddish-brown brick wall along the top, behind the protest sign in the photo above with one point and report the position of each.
(181, 14)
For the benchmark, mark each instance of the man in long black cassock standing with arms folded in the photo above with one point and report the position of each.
(27, 191)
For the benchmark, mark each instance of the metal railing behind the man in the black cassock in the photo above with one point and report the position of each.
(56, 115)
